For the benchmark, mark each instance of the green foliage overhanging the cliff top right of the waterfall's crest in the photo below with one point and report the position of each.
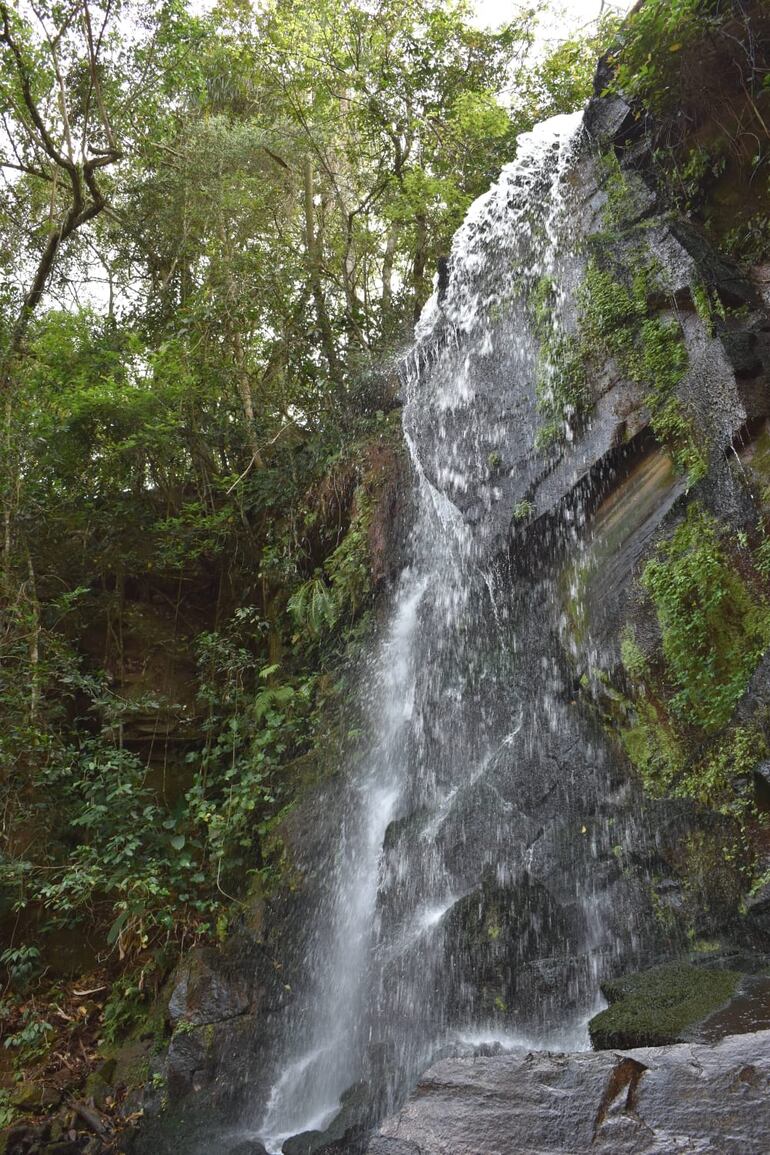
(711, 143)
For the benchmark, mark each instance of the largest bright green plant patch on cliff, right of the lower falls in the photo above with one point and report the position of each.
(676, 716)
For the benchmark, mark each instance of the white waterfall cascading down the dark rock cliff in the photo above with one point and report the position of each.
(470, 896)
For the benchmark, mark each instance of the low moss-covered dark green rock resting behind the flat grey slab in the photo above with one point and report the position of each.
(657, 1008)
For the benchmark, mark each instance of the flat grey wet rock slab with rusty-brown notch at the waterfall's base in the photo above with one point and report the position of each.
(713, 1100)
